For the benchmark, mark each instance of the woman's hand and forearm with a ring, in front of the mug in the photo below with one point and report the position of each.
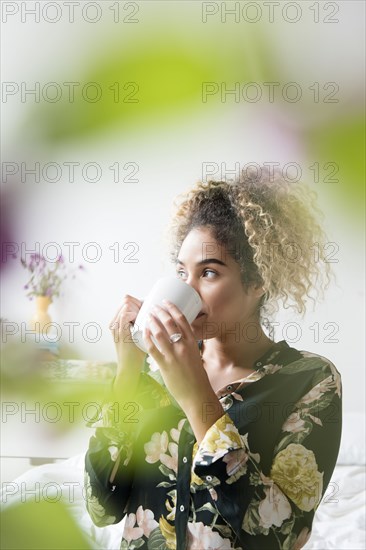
(180, 363)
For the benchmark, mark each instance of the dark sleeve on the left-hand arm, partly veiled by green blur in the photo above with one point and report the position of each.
(109, 460)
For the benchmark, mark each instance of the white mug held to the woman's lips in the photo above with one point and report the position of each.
(176, 291)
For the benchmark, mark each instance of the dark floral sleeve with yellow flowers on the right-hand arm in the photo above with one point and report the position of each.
(275, 509)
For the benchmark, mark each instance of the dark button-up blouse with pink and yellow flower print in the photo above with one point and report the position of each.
(254, 482)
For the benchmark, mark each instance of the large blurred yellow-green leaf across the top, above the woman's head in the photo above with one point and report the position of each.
(159, 75)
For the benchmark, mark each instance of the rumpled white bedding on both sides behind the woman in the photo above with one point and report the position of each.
(339, 522)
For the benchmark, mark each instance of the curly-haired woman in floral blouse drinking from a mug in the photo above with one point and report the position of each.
(223, 438)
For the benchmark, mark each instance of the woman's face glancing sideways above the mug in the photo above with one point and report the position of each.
(215, 275)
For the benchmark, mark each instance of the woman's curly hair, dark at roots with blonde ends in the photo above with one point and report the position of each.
(268, 225)
